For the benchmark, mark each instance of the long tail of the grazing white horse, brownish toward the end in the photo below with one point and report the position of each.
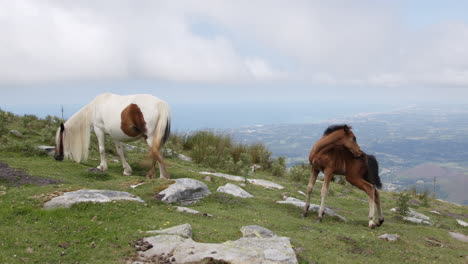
(161, 132)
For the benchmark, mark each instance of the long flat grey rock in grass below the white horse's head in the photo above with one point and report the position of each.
(97, 196)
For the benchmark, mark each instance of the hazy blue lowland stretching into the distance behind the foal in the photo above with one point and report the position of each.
(400, 139)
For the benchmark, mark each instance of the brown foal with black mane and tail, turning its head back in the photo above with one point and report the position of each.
(337, 152)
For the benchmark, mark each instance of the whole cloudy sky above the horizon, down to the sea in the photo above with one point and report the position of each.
(273, 52)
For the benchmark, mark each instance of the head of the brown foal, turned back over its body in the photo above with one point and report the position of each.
(343, 136)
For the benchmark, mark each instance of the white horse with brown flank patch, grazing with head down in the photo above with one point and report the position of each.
(124, 118)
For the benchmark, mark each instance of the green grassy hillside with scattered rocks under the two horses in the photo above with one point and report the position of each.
(103, 233)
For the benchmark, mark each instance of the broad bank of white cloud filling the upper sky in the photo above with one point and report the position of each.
(360, 43)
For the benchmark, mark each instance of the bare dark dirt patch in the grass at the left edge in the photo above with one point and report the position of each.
(16, 178)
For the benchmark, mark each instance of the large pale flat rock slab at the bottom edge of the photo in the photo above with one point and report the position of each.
(248, 249)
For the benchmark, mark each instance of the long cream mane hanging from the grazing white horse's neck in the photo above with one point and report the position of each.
(77, 134)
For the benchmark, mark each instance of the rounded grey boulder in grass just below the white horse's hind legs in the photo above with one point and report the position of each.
(184, 191)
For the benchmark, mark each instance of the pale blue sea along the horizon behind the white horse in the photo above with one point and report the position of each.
(188, 117)
